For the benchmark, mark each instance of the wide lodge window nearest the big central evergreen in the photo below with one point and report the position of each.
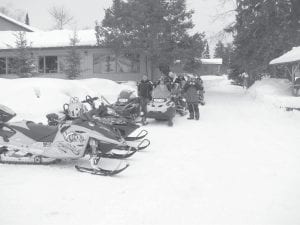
(127, 63)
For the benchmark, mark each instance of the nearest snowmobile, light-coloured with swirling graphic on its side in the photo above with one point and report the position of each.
(26, 142)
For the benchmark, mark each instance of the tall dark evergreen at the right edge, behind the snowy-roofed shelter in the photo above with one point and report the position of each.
(263, 30)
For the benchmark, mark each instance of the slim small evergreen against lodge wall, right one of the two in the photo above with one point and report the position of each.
(73, 59)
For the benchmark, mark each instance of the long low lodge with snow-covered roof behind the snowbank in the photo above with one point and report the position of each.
(48, 50)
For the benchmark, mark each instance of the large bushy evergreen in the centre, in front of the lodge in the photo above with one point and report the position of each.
(156, 28)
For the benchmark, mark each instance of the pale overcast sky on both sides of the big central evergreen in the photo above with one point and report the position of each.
(85, 12)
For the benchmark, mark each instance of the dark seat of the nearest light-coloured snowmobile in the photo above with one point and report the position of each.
(38, 132)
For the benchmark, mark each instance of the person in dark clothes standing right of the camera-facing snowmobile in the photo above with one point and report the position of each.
(191, 89)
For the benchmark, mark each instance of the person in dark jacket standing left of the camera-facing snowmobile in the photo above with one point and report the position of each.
(145, 88)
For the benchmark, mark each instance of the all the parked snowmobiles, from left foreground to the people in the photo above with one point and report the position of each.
(85, 131)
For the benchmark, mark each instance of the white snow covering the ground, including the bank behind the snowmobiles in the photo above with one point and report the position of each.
(238, 165)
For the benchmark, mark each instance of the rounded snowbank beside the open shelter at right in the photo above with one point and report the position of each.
(274, 91)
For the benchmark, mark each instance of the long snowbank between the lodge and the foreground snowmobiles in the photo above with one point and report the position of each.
(33, 98)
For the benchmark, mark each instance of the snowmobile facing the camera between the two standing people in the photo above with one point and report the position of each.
(161, 107)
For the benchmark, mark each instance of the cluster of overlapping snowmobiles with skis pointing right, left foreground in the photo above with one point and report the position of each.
(95, 133)
